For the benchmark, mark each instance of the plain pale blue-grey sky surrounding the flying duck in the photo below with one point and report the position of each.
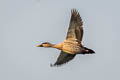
(26, 23)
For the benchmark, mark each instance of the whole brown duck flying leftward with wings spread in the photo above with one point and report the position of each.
(72, 45)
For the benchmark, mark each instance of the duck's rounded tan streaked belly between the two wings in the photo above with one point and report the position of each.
(71, 48)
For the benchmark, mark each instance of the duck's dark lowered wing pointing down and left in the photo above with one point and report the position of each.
(63, 58)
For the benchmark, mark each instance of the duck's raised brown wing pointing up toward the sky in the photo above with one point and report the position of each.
(75, 30)
